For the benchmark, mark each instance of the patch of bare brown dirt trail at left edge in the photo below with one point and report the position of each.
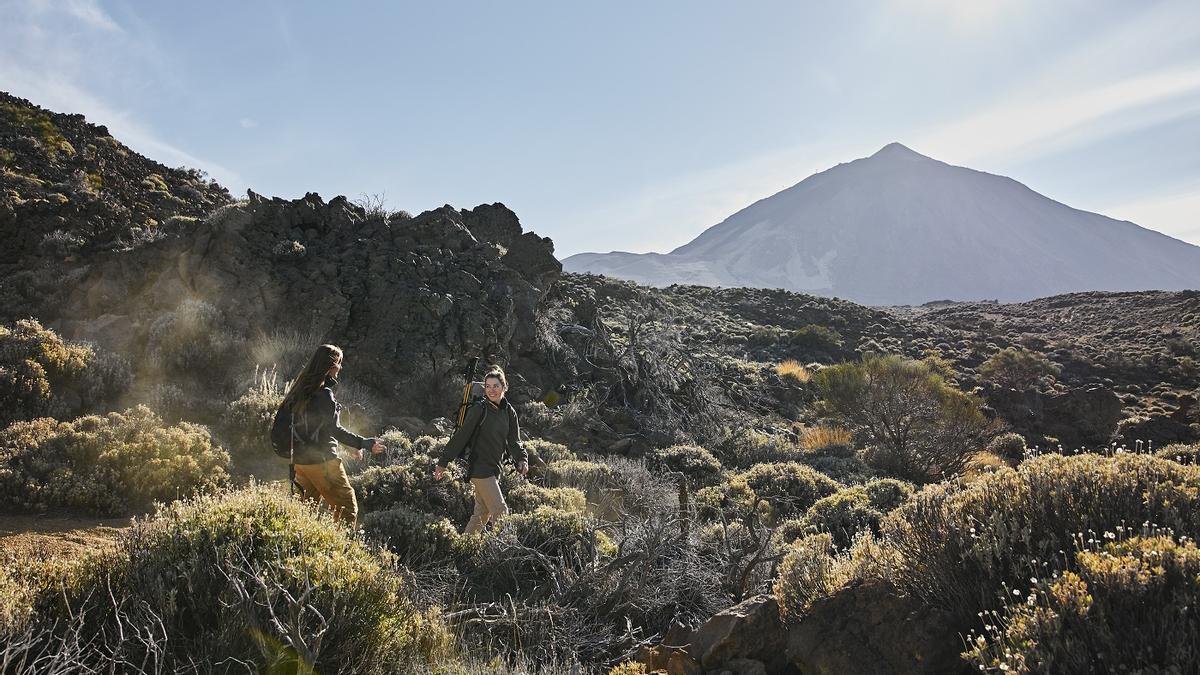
(47, 536)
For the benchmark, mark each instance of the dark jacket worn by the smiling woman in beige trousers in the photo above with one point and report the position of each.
(499, 434)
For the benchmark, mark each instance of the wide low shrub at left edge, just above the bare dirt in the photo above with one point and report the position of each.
(107, 464)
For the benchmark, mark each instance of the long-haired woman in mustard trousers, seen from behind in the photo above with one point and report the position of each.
(320, 473)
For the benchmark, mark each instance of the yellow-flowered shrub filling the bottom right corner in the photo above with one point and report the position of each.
(1131, 605)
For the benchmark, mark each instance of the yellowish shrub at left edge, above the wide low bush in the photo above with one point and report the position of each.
(35, 365)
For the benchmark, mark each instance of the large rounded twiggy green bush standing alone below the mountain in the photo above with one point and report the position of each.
(916, 426)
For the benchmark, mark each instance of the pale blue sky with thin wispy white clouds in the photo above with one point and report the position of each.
(631, 127)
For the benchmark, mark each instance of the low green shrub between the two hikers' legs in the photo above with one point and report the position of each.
(412, 486)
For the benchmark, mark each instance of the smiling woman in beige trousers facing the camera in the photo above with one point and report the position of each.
(491, 431)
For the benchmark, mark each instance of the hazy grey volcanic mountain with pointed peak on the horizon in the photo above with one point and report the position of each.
(899, 228)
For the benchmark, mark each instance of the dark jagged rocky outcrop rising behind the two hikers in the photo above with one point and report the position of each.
(407, 298)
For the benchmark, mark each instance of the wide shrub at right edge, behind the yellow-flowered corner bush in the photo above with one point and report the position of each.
(956, 547)
